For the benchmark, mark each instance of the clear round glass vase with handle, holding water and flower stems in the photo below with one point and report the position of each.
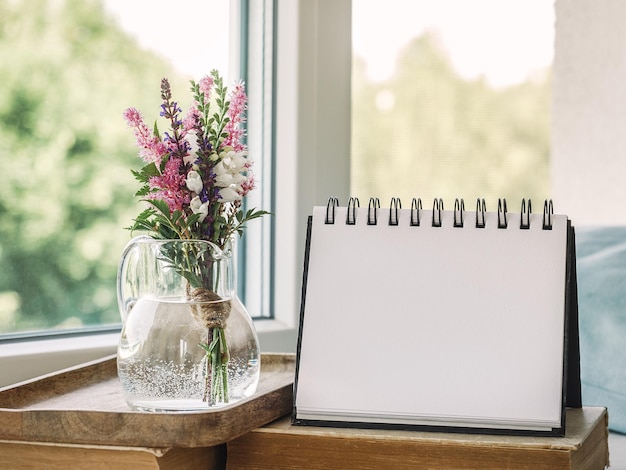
(187, 341)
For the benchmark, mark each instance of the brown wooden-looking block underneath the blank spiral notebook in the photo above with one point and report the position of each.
(280, 445)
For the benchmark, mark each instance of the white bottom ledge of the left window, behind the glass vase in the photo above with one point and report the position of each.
(32, 357)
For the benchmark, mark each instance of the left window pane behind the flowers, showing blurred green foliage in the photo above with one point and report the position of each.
(68, 70)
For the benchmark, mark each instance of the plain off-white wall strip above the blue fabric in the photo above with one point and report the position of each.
(589, 111)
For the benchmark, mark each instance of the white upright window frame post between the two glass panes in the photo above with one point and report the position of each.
(312, 131)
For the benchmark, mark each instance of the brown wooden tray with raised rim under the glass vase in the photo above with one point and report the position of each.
(84, 405)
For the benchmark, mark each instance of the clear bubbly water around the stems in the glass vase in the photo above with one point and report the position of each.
(162, 367)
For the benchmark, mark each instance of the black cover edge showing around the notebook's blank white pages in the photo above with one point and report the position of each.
(572, 395)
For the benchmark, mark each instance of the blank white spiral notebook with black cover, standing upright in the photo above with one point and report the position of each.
(438, 319)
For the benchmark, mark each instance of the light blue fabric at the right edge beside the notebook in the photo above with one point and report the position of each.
(601, 265)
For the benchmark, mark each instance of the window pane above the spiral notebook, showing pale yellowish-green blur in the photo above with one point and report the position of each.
(451, 99)
